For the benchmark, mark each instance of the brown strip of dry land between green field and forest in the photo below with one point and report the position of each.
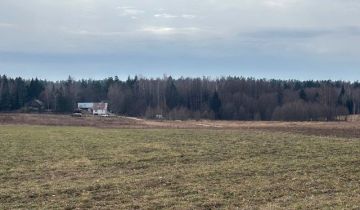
(338, 129)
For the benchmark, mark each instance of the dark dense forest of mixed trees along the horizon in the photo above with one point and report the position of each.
(227, 98)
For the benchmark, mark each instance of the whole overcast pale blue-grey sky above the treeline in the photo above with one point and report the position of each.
(288, 39)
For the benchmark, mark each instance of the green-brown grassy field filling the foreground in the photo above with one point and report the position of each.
(76, 168)
